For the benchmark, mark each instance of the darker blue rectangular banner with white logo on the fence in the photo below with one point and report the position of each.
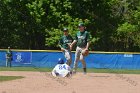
(21, 58)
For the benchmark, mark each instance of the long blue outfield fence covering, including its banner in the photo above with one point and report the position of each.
(93, 60)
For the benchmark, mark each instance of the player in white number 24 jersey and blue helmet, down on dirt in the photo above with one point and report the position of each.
(61, 69)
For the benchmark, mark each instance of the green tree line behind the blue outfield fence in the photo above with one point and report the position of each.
(37, 24)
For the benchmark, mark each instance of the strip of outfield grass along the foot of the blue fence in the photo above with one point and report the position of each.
(91, 70)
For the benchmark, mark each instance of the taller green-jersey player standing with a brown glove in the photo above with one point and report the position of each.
(83, 41)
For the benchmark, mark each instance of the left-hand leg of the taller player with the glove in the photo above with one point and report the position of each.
(77, 56)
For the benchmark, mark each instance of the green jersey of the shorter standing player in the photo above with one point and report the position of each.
(65, 41)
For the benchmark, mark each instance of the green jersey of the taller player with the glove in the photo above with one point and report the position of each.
(82, 38)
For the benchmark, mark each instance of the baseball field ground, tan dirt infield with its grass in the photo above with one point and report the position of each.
(40, 80)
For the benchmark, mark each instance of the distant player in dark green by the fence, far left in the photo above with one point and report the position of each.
(8, 57)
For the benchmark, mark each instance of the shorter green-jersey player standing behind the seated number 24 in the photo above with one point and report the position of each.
(64, 44)
